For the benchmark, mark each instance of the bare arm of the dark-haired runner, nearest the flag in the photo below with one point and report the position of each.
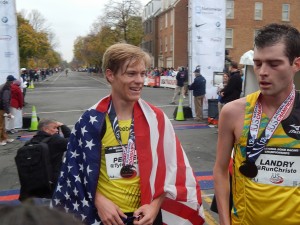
(230, 124)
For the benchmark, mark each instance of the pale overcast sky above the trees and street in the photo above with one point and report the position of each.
(67, 18)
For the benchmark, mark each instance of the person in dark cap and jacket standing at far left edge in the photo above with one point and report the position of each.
(5, 95)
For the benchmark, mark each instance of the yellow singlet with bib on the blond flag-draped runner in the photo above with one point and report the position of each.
(123, 192)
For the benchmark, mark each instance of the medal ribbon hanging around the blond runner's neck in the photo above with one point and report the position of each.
(129, 150)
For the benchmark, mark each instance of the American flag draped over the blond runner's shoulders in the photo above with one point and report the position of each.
(163, 167)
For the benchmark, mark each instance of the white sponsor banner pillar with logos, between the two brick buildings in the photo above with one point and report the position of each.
(207, 28)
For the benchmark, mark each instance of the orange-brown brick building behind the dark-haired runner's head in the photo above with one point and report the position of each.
(245, 17)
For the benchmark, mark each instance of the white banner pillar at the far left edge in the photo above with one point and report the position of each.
(9, 51)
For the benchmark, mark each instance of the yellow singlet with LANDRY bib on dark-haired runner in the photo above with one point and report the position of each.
(273, 196)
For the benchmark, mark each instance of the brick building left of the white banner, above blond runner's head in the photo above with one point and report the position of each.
(166, 27)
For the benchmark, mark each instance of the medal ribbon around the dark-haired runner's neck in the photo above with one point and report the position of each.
(256, 145)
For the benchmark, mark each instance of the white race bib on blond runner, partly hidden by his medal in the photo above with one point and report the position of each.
(114, 162)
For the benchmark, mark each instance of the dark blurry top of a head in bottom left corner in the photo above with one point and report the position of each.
(27, 214)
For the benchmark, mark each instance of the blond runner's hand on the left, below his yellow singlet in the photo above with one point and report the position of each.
(109, 212)
